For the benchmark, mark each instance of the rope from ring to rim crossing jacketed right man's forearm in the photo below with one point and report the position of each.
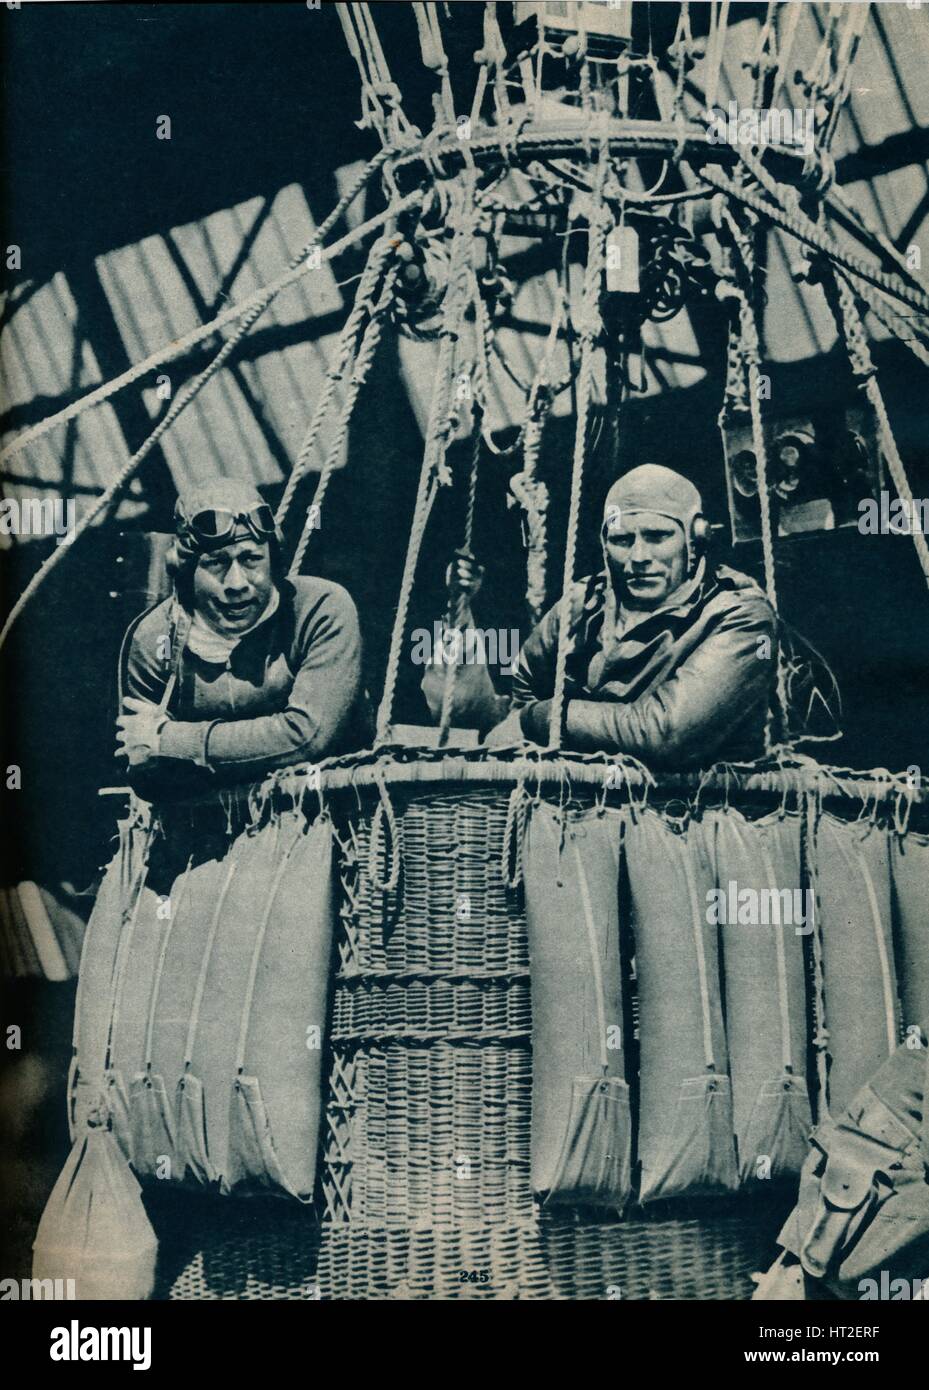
(597, 237)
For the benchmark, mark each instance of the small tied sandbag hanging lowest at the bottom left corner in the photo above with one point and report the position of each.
(95, 1229)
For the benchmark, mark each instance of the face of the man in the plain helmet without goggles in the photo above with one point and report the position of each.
(647, 557)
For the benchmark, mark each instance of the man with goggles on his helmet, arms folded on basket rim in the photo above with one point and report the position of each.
(241, 671)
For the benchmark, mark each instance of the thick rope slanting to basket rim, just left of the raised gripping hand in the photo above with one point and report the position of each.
(433, 471)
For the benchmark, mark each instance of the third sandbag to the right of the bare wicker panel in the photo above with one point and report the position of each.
(761, 913)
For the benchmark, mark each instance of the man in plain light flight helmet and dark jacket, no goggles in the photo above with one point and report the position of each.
(670, 662)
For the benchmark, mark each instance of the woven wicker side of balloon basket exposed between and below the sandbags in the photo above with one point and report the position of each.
(425, 1188)
